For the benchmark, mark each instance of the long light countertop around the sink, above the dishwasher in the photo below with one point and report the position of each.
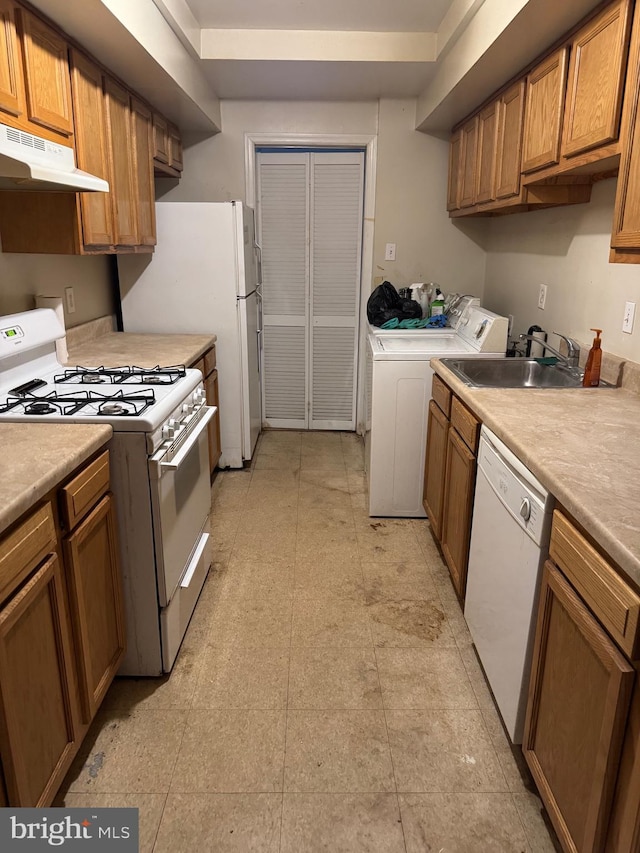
(582, 444)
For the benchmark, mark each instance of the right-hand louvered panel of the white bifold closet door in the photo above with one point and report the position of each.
(337, 183)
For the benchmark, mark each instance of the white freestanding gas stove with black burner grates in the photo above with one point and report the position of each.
(159, 461)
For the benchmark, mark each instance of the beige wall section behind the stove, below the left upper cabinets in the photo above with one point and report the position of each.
(24, 276)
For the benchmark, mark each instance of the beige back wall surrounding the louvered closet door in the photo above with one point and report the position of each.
(411, 177)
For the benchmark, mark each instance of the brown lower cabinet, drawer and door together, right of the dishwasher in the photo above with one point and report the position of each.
(580, 743)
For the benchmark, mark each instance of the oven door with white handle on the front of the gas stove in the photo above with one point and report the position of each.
(180, 498)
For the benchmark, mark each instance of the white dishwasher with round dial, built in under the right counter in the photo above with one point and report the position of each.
(509, 543)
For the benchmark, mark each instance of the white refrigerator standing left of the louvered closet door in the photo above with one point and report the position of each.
(204, 278)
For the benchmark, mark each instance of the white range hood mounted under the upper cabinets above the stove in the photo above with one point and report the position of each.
(29, 162)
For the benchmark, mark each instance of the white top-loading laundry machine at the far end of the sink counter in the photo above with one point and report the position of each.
(398, 392)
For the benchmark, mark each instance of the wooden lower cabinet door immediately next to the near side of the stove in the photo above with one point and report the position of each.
(96, 603)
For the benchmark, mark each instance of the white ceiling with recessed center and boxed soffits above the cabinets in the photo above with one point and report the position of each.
(448, 54)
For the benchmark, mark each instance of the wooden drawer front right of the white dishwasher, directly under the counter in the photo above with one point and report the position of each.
(614, 603)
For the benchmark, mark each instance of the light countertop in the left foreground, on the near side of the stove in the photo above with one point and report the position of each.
(36, 457)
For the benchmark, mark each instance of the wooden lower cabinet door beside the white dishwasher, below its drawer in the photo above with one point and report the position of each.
(579, 697)
